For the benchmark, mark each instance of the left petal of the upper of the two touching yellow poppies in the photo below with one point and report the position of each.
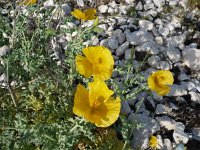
(84, 67)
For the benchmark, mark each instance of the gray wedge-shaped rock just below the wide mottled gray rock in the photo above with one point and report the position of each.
(149, 47)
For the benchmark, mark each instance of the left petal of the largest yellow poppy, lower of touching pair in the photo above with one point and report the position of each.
(81, 101)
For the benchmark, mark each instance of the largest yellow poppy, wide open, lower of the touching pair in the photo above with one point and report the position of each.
(96, 104)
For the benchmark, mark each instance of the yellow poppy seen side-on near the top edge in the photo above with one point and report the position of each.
(89, 14)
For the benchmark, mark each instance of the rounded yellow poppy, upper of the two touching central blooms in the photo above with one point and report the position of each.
(98, 62)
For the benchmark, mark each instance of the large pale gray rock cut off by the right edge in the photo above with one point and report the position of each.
(191, 58)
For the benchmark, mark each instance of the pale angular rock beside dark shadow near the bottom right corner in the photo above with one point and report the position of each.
(180, 137)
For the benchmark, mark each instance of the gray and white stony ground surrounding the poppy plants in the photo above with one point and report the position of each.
(168, 32)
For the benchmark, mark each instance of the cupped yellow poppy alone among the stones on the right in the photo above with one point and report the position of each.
(160, 81)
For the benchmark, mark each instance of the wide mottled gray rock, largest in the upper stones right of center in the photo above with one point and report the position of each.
(139, 37)
